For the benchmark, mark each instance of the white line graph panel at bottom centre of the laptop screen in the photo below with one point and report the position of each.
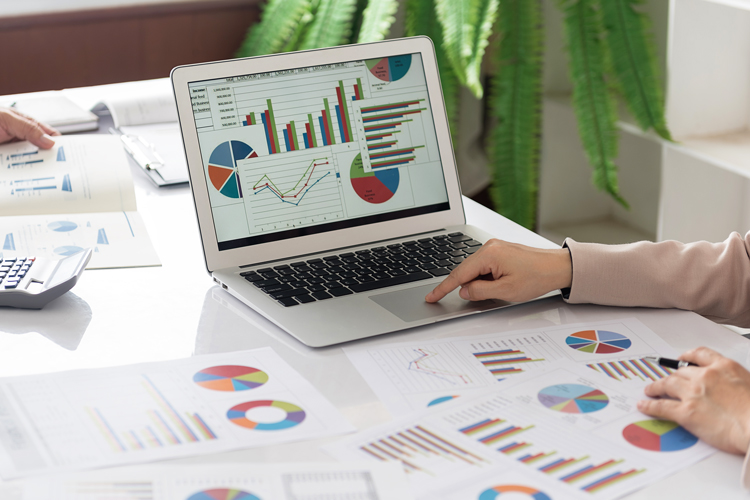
(290, 190)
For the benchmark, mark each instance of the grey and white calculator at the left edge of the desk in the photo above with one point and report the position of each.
(31, 282)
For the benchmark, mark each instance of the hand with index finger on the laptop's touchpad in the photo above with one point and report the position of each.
(507, 271)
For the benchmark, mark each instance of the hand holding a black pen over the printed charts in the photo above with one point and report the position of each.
(711, 400)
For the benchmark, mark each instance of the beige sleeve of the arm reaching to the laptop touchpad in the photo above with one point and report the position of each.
(712, 279)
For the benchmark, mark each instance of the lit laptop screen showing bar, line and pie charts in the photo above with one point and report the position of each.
(314, 149)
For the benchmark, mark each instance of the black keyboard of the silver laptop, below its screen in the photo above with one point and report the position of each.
(363, 270)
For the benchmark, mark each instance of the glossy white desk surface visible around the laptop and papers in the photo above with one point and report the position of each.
(123, 316)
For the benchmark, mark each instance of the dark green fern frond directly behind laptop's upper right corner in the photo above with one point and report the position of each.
(421, 19)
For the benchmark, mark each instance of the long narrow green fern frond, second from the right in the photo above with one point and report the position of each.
(593, 102)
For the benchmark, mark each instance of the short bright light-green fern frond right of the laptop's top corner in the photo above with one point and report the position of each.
(467, 25)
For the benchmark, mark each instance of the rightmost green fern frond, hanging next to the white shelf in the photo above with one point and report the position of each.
(632, 54)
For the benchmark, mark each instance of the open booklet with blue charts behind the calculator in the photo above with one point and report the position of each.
(79, 194)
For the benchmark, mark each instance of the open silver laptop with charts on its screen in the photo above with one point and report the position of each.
(325, 187)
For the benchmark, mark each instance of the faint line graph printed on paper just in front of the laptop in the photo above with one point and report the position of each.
(430, 368)
